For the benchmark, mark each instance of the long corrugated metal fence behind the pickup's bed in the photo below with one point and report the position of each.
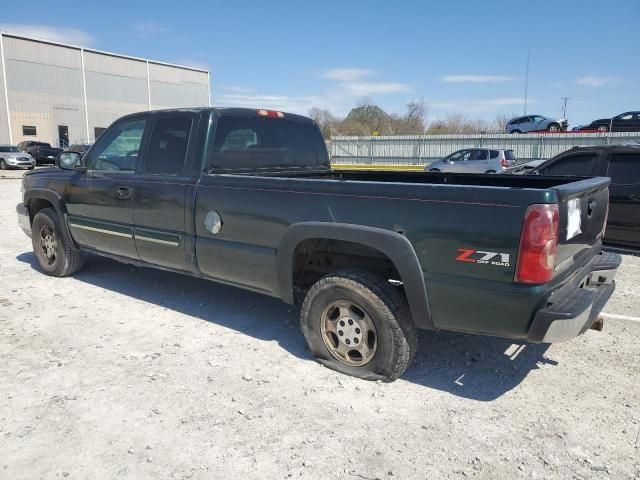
(423, 149)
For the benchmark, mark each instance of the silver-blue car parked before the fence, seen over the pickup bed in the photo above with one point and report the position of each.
(474, 160)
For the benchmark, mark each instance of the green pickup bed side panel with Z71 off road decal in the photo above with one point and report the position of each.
(439, 221)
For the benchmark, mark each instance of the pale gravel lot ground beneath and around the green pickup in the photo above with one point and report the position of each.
(124, 372)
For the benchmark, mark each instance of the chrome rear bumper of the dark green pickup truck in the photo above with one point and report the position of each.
(572, 309)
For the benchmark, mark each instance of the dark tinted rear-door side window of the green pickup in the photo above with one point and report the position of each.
(167, 150)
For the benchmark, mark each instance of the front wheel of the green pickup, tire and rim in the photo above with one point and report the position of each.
(56, 256)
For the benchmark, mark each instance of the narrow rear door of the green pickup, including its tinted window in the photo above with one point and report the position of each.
(161, 191)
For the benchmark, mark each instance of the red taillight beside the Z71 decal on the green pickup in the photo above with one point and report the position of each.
(538, 244)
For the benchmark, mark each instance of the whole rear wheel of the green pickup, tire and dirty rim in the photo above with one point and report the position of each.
(360, 325)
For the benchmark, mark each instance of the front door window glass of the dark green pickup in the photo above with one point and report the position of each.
(118, 148)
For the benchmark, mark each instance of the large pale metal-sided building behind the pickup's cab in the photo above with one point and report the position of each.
(59, 93)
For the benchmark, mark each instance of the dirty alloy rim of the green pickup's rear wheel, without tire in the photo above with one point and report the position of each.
(349, 333)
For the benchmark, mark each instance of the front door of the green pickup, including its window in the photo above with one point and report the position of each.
(99, 201)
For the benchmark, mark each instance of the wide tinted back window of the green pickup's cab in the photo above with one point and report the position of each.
(245, 144)
